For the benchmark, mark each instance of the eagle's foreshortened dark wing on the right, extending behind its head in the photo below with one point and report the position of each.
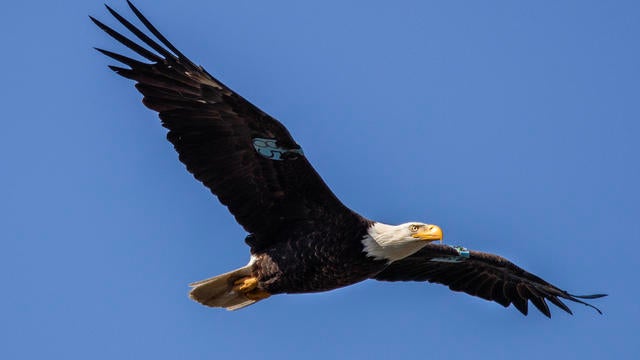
(485, 275)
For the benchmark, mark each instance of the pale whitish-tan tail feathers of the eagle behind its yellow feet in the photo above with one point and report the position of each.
(218, 290)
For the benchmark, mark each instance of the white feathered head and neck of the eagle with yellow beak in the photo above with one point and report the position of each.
(395, 242)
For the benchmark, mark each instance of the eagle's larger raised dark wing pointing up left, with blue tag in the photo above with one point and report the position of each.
(244, 156)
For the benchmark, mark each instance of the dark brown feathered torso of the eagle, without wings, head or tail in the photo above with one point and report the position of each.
(300, 260)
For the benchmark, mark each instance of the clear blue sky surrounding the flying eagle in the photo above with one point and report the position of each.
(513, 126)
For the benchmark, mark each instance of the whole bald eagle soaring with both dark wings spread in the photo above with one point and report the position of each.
(301, 237)
